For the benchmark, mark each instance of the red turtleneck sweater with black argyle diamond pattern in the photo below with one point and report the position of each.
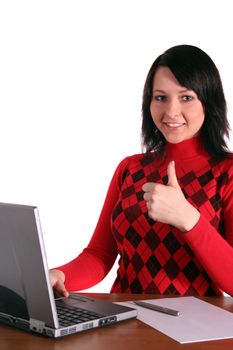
(155, 257)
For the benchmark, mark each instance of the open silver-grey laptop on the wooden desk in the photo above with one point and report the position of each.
(27, 300)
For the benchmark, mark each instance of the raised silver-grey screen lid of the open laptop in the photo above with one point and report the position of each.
(25, 289)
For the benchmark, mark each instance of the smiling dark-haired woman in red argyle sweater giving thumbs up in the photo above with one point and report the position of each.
(168, 212)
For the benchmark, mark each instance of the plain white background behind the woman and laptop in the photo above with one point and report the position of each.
(71, 80)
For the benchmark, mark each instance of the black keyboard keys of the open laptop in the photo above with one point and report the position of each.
(68, 315)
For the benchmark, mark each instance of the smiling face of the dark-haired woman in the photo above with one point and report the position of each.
(176, 111)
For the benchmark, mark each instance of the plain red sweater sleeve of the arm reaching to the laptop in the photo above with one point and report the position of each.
(97, 259)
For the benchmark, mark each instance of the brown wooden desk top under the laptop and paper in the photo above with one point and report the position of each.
(127, 335)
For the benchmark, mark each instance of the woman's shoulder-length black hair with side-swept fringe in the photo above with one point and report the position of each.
(195, 70)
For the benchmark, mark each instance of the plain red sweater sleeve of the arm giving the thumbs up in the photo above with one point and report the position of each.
(214, 251)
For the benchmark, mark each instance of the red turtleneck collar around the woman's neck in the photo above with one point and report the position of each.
(185, 150)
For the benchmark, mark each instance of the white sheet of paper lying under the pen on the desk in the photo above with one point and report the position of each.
(199, 320)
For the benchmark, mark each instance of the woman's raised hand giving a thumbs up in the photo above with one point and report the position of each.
(167, 204)
